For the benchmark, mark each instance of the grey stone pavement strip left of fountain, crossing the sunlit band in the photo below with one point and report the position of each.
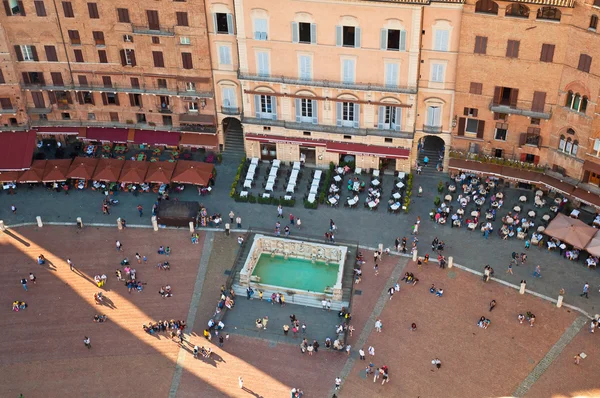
(191, 317)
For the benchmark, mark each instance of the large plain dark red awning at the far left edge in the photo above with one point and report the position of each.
(16, 150)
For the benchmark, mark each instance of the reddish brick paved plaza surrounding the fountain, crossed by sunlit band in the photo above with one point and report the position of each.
(43, 354)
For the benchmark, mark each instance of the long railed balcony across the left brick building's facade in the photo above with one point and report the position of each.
(122, 88)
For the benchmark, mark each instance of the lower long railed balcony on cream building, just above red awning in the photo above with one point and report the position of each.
(323, 128)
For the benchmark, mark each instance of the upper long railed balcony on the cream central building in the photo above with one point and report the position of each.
(328, 83)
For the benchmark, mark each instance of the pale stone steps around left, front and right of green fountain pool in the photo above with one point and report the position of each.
(300, 299)
